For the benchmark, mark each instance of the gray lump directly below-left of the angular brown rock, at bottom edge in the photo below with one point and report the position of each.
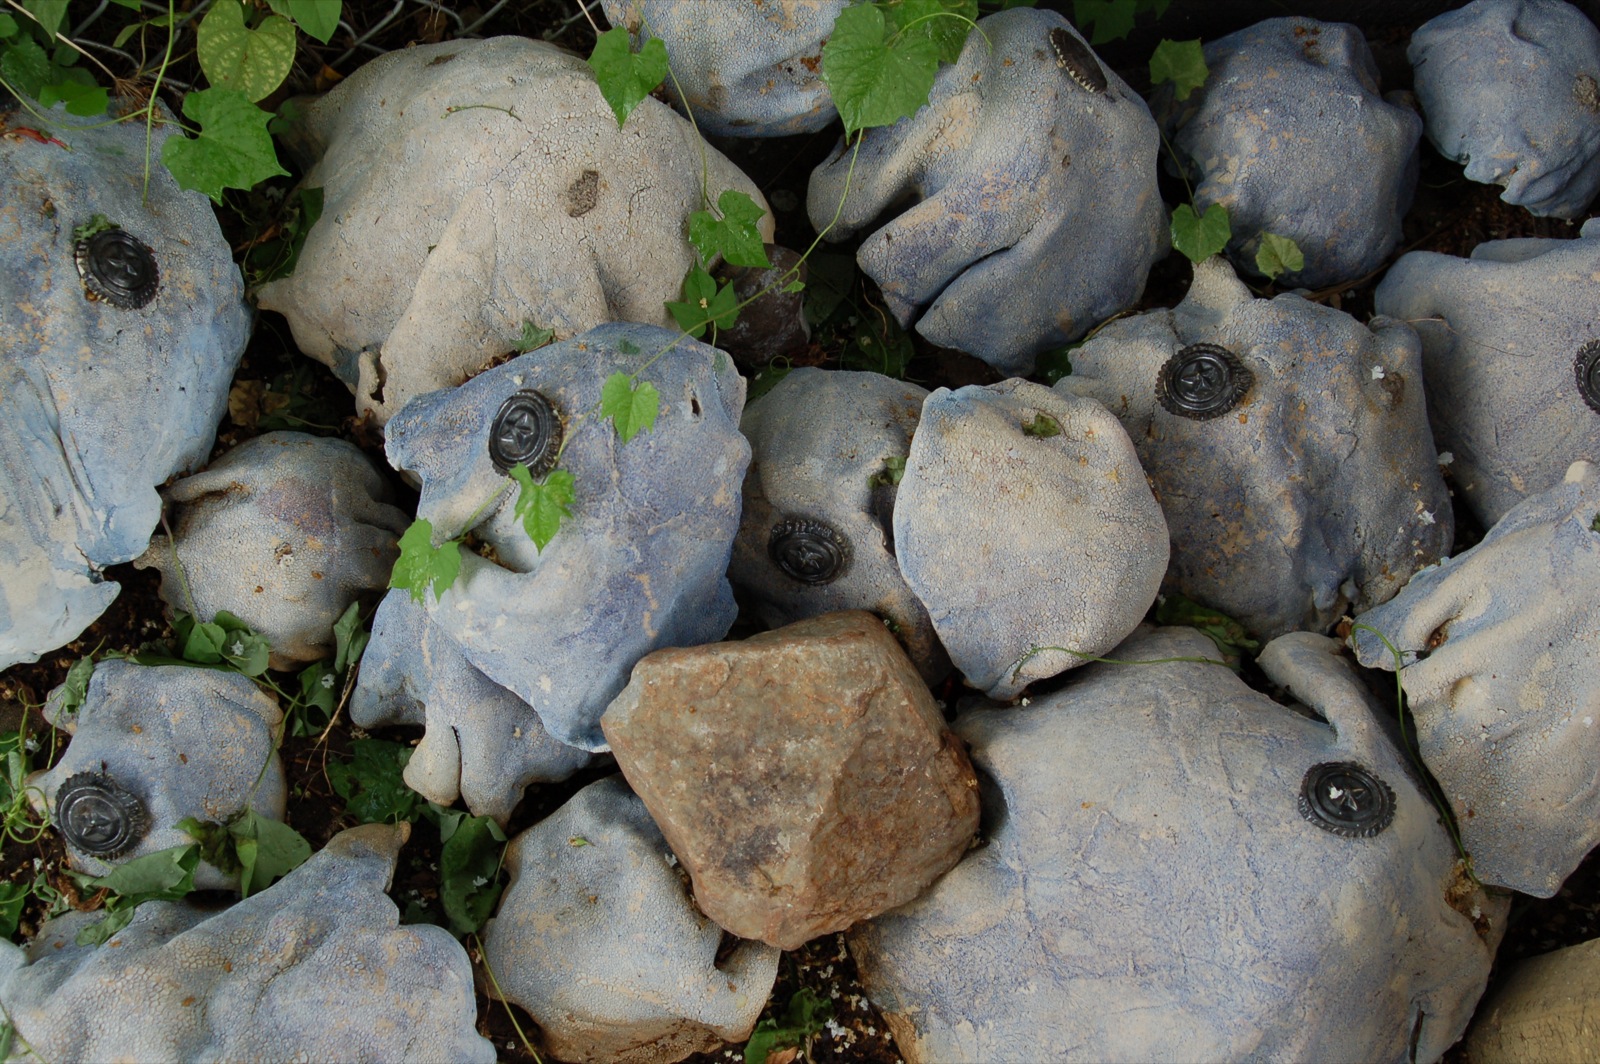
(598, 938)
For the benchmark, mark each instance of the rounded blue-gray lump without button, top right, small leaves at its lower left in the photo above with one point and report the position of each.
(1290, 134)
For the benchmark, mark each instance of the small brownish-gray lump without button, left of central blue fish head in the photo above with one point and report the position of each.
(284, 532)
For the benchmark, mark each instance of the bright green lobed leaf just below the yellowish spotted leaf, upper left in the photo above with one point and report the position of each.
(233, 151)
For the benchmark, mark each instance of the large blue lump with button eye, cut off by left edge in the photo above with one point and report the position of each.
(102, 401)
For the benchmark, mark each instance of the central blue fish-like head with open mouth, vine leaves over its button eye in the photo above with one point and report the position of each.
(642, 561)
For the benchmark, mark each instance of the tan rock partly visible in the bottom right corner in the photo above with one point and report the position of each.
(1546, 1010)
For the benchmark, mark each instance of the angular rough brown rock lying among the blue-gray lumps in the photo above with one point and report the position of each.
(804, 777)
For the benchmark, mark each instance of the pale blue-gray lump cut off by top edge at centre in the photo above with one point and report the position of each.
(746, 68)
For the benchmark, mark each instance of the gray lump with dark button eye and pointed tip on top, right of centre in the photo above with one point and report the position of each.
(1314, 494)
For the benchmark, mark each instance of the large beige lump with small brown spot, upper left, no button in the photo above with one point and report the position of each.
(471, 188)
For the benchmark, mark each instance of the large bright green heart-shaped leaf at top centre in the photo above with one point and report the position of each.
(876, 81)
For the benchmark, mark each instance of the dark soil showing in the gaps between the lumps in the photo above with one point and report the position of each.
(1450, 215)
